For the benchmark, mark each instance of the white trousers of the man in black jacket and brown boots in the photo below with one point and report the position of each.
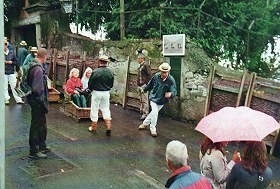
(100, 100)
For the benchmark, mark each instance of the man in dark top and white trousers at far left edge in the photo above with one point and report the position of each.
(11, 63)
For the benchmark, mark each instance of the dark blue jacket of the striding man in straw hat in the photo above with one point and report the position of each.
(158, 88)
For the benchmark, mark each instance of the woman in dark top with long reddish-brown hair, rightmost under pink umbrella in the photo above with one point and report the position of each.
(252, 171)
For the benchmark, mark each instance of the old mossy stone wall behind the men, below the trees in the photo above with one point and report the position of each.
(188, 105)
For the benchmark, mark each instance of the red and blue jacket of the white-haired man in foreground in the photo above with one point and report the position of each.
(184, 178)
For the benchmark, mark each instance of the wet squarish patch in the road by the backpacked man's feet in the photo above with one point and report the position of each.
(40, 168)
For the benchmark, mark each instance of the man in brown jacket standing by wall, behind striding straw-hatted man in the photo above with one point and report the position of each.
(143, 77)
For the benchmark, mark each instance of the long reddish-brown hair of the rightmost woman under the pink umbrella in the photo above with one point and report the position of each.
(254, 156)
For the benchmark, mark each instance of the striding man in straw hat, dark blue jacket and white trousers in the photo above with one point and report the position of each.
(162, 87)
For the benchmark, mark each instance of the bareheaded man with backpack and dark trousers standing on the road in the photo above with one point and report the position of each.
(38, 101)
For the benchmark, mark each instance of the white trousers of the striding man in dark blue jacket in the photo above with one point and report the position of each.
(152, 117)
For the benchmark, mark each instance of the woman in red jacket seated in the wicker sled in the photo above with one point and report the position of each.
(74, 88)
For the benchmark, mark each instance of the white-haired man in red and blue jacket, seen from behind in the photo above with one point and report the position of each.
(182, 176)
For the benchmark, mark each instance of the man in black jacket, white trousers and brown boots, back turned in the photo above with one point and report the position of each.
(100, 83)
